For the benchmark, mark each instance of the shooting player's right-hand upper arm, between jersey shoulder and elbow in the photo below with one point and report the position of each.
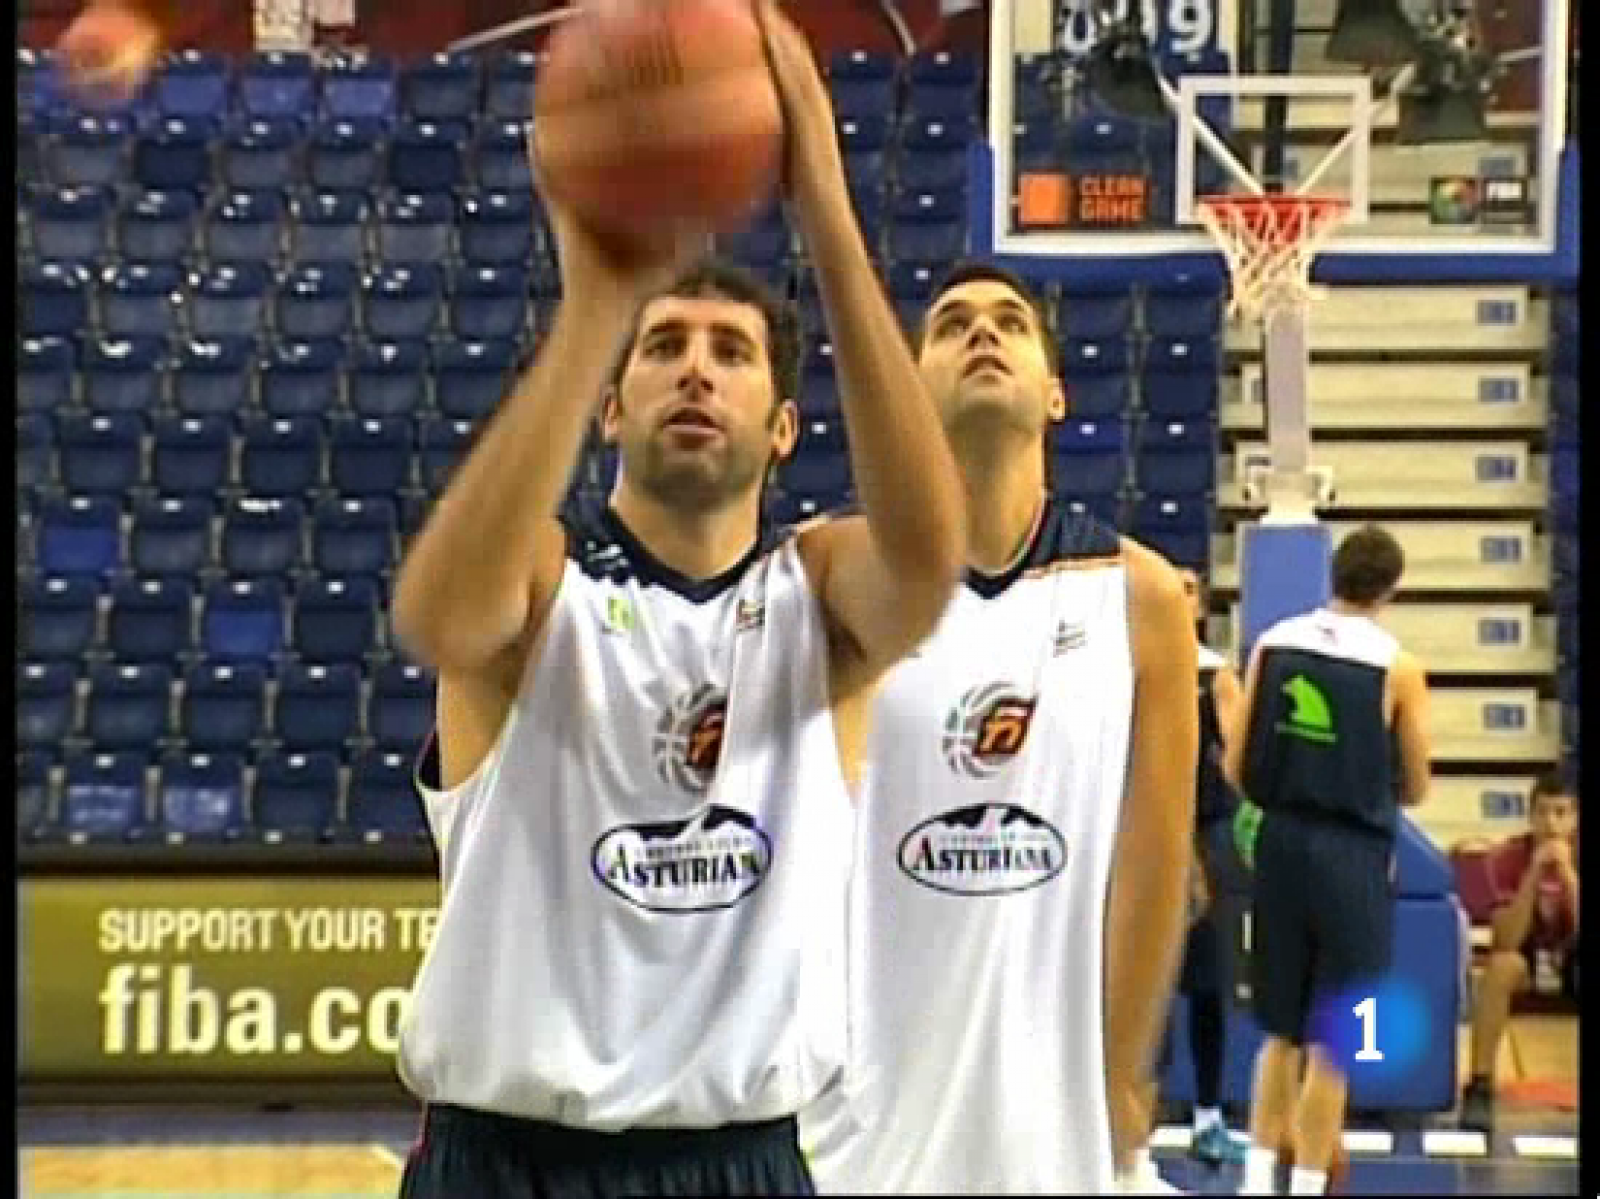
(878, 616)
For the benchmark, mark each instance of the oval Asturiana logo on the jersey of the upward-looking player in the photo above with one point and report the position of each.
(986, 849)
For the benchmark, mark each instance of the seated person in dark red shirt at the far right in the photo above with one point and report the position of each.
(1535, 878)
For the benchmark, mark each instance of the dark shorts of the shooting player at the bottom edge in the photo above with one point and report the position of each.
(474, 1155)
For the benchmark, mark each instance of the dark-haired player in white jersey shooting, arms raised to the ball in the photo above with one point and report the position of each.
(649, 716)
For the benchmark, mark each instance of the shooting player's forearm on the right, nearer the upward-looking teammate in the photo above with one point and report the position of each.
(902, 462)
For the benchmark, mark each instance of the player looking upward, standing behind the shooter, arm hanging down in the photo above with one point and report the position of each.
(1025, 820)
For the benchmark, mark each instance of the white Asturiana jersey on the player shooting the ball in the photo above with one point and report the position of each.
(646, 881)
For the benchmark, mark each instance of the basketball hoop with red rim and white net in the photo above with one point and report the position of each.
(1271, 243)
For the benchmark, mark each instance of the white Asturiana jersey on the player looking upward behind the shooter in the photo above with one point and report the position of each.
(988, 824)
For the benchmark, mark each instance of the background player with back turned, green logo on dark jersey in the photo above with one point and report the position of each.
(1332, 739)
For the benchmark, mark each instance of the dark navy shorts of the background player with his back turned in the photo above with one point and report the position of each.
(1322, 918)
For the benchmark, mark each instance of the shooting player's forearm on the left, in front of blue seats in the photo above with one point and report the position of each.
(465, 588)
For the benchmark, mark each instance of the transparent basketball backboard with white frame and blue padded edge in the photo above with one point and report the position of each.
(1073, 190)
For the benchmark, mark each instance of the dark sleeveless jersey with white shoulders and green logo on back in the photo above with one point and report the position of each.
(1319, 740)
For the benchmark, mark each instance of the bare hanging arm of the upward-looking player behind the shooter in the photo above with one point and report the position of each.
(1151, 864)
